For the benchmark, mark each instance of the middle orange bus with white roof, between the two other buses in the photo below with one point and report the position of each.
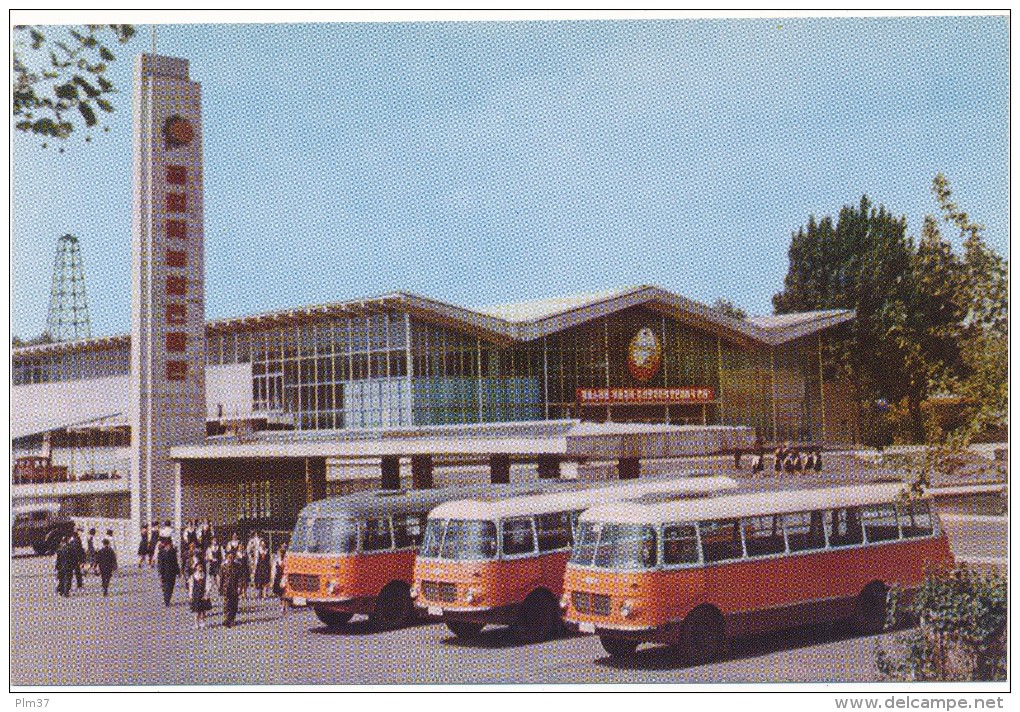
(501, 562)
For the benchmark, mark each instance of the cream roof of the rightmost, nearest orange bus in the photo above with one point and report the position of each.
(732, 505)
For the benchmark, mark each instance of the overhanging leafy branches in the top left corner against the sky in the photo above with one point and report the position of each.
(60, 77)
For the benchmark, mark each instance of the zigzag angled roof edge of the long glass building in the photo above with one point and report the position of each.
(525, 322)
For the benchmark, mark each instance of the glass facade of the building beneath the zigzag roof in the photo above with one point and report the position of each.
(389, 368)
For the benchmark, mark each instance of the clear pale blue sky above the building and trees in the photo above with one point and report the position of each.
(499, 162)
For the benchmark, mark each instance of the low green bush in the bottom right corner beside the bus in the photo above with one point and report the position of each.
(961, 634)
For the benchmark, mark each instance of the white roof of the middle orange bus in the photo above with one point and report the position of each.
(592, 495)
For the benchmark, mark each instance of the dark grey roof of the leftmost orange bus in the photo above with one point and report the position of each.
(383, 502)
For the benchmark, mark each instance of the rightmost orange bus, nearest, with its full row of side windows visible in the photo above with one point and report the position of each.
(692, 574)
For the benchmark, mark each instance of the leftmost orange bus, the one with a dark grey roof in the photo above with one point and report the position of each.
(355, 554)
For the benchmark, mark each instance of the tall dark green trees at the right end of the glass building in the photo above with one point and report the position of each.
(929, 322)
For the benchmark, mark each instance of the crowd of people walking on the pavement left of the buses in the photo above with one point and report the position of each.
(233, 571)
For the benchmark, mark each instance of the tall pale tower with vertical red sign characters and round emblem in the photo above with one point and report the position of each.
(168, 401)
